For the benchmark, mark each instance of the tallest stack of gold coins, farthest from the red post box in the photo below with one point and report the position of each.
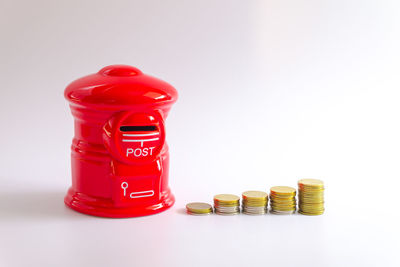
(311, 196)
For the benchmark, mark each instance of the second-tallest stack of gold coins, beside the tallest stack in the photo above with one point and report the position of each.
(283, 200)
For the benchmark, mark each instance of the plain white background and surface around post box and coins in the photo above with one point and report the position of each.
(270, 92)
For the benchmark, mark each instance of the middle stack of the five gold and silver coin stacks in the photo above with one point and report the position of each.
(254, 202)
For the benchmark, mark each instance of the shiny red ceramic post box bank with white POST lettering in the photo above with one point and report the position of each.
(119, 156)
